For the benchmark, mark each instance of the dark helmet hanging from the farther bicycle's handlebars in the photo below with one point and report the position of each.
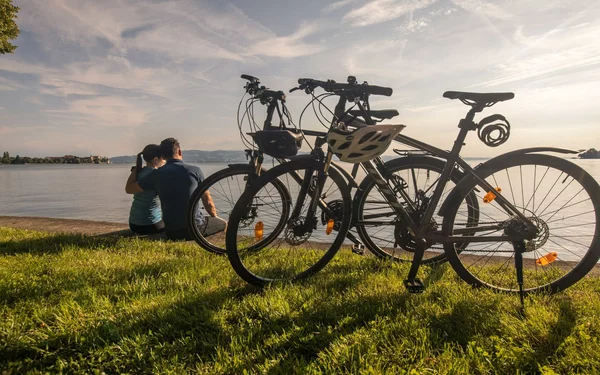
(278, 143)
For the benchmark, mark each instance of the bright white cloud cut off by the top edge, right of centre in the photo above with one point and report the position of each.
(380, 11)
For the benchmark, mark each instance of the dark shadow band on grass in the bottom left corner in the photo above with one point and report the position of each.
(133, 341)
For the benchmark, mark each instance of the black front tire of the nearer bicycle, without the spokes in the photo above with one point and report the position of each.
(235, 253)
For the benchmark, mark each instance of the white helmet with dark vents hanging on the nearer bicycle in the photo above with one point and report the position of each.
(362, 144)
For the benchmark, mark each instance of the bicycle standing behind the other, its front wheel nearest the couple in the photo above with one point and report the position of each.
(241, 175)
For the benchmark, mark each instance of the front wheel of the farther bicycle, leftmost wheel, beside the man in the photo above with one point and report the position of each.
(225, 187)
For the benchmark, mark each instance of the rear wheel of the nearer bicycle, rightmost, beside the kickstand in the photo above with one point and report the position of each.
(557, 196)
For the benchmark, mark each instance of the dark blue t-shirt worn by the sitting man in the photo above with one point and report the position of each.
(175, 183)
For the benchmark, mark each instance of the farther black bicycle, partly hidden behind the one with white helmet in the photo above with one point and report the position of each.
(370, 209)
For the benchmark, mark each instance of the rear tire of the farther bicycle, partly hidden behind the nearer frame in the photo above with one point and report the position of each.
(393, 166)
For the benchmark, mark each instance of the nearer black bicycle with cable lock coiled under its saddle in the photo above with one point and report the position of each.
(515, 229)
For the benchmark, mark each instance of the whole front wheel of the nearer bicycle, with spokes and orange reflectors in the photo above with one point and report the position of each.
(308, 240)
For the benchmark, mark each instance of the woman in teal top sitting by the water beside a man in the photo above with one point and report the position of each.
(145, 216)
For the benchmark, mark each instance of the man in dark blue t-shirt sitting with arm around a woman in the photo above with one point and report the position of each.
(175, 182)
